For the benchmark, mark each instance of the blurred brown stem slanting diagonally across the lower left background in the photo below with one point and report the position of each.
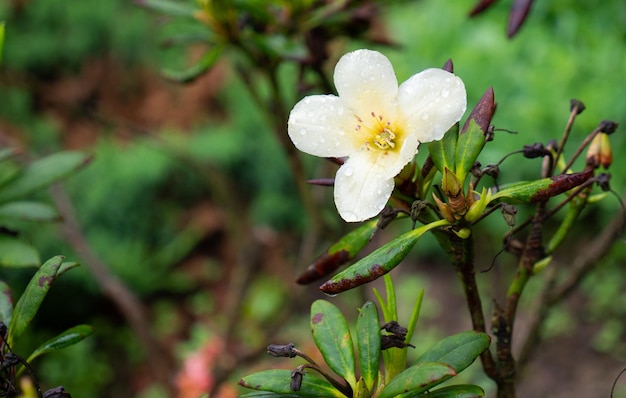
(159, 362)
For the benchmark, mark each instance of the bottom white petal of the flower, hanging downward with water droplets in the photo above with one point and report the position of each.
(362, 188)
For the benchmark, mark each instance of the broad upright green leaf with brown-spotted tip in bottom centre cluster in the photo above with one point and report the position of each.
(332, 337)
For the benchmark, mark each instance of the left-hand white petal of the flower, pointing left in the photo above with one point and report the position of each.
(321, 125)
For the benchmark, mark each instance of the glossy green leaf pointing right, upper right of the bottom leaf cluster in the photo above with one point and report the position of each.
(457, 351)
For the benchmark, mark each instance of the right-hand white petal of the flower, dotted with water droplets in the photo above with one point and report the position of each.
(432, 101)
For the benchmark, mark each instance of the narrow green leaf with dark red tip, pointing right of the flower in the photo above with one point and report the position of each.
(543, 189)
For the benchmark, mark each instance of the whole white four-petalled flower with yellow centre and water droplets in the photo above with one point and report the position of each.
(376, 124)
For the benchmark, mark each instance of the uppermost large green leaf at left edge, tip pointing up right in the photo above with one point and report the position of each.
(42, 173)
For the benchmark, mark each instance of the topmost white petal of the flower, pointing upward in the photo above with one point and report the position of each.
(366, 82)
